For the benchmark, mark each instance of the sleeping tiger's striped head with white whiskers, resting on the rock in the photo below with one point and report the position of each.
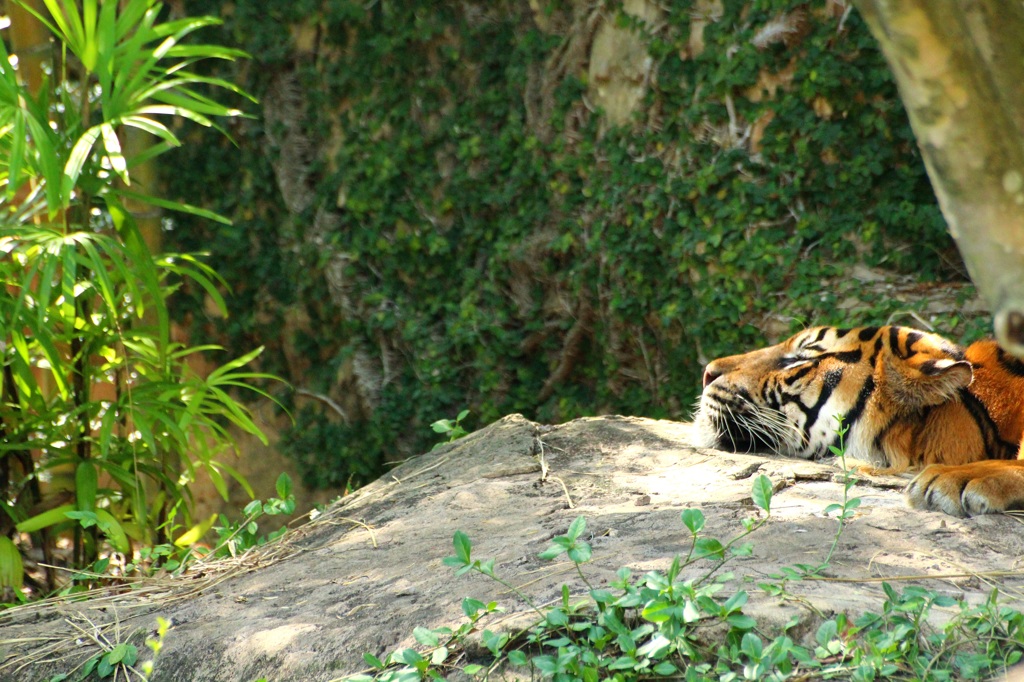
(786, 399)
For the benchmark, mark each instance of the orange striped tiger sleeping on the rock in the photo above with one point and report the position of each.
(908, 402)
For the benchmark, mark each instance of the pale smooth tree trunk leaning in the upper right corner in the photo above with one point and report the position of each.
(960, 69)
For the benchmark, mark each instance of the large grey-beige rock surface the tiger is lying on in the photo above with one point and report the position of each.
(366, 573)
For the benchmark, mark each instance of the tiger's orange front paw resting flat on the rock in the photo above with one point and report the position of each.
(969, 490)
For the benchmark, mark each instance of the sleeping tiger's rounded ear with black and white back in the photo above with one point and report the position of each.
(924, 380)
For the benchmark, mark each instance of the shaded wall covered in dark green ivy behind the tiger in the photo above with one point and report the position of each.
(433, 212)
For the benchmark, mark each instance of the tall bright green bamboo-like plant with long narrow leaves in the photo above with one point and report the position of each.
(94, 389)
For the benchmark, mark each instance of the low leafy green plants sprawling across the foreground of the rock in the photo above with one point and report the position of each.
(658, 625)
